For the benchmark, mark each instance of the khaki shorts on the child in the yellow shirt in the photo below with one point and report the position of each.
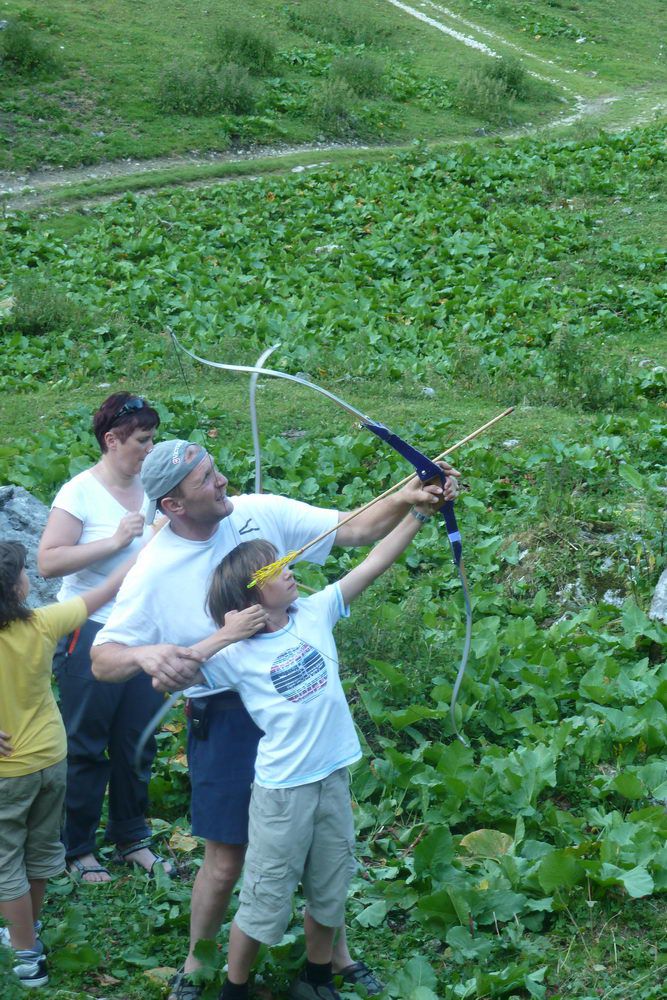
(31, 811)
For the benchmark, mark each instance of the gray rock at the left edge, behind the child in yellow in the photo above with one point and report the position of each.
(22, 519)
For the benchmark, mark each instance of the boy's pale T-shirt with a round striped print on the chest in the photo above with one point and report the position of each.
(289, 683)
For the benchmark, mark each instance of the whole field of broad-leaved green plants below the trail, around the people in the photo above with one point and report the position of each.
(531, 863)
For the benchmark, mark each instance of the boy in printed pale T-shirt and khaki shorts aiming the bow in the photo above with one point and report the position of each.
(301, 827)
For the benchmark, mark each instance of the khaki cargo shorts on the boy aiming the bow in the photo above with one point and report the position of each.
(303, 834)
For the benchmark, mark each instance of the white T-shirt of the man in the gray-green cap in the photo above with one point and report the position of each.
(163, 597)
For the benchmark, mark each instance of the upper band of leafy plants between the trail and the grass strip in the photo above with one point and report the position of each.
(503, 267)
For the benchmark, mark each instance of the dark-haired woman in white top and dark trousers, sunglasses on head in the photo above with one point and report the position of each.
(96, 521)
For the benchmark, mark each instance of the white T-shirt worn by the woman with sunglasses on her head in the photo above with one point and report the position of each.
(85, 498)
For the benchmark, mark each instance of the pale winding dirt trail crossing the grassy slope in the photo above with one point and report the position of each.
(19, 192)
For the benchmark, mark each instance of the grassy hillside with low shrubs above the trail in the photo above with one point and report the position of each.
(143, 80)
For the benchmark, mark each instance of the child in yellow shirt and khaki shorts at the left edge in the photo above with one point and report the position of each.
(33, 751)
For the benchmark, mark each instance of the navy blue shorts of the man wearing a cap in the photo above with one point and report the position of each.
(222, 770)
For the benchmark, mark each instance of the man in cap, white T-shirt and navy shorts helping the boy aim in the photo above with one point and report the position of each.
(160, 612)
